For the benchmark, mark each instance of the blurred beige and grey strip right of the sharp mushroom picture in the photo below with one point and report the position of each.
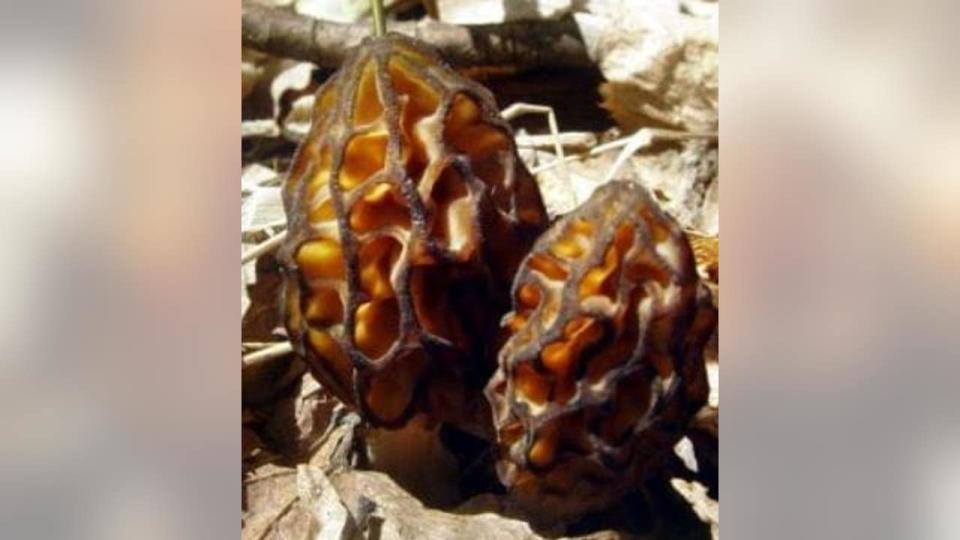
(841, 196)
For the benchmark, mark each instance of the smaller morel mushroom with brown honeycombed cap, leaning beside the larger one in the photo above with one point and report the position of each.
(602, 367)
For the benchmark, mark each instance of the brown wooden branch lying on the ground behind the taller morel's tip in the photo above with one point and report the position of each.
(521, 44)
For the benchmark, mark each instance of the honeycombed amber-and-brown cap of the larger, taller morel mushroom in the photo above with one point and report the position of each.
(408, 213)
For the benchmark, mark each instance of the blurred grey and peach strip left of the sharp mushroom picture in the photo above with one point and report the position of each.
(119, 372)
